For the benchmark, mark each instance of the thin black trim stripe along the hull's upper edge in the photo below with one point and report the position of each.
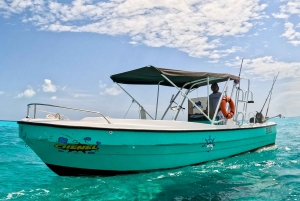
(133, 130)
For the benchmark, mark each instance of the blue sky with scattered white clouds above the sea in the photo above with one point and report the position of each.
(63, 52)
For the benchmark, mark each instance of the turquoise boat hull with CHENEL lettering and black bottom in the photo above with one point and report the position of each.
(71, 150)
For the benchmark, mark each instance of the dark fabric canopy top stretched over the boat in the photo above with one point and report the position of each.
(151, 75)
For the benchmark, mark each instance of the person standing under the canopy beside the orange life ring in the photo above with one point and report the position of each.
(213, 100)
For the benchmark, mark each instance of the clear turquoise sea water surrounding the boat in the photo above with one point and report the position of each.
(271, 173)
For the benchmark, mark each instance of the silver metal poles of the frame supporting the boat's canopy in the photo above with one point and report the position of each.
(184, 95)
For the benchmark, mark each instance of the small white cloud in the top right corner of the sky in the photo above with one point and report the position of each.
(288, 9)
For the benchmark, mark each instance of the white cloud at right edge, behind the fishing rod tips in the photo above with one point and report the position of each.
(265, 68)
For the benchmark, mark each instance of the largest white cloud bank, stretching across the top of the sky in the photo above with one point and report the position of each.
(192, 26)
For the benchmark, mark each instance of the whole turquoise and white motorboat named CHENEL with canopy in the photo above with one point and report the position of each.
(108, 146)
